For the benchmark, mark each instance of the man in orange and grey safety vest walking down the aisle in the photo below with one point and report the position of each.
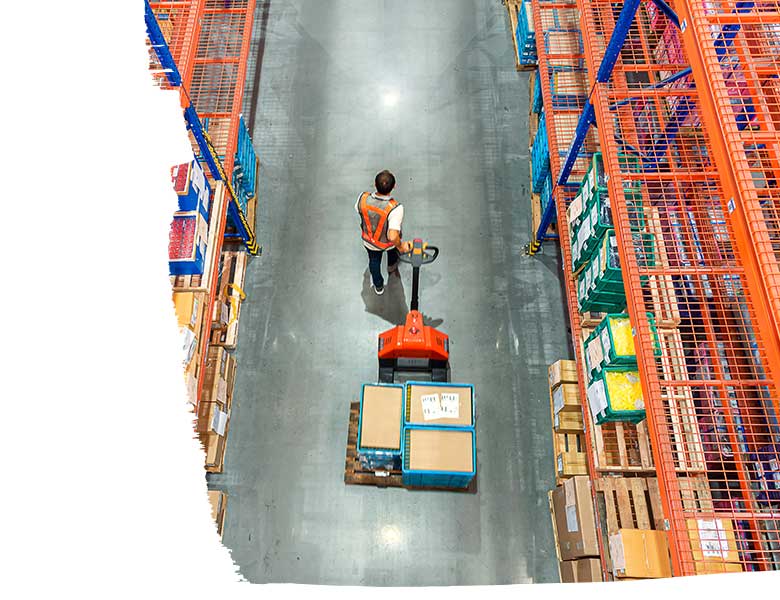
(380, 223)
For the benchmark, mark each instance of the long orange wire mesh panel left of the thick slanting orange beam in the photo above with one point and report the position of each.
(700, 356)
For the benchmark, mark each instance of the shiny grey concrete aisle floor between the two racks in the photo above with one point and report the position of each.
(428, 90)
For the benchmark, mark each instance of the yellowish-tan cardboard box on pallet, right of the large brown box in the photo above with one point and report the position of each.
(640, 554)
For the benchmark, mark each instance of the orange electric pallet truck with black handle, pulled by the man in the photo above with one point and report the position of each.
(414, 348)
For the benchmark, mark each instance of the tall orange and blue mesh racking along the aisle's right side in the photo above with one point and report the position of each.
(686, 109)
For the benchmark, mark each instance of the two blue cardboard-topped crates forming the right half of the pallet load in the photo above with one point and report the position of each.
(428, 428)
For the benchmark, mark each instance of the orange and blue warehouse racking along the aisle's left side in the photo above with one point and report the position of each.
(200, 48)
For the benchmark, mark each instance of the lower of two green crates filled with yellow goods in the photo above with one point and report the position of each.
(603, 396)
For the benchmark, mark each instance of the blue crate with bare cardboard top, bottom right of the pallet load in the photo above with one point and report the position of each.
(433, 476)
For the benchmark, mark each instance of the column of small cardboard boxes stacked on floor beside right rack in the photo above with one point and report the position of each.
(568, 425)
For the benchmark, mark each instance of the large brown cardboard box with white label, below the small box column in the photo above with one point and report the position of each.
(575, 521)
